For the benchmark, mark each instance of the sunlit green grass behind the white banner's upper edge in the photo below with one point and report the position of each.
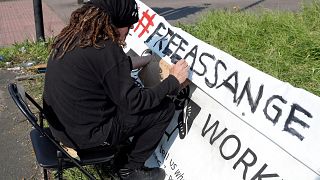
(285, 45)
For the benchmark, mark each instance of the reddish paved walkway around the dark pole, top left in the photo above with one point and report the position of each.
(17, 21)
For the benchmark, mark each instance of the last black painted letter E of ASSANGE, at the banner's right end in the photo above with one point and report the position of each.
(293, 118)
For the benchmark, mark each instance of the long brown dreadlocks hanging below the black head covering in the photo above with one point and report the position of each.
(88, 25)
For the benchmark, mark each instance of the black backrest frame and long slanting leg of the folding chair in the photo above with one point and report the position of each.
(19, 96)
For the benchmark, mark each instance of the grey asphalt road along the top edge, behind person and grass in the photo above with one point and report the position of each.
(187, 11)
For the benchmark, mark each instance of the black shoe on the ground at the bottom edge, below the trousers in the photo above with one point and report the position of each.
(143, 173)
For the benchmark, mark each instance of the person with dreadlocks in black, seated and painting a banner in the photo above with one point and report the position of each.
(89, 96)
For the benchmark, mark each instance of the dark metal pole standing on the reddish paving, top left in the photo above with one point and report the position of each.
(38, 19)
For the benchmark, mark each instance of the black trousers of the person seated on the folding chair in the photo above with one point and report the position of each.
(146, 128)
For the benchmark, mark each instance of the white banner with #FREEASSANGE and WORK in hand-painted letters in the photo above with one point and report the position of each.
(234, 121)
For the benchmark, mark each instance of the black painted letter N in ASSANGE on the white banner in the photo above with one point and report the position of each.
(247, 89)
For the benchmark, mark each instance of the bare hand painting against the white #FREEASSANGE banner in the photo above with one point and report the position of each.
(180, 70)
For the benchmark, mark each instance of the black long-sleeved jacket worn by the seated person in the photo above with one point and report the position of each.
(86, 87)
